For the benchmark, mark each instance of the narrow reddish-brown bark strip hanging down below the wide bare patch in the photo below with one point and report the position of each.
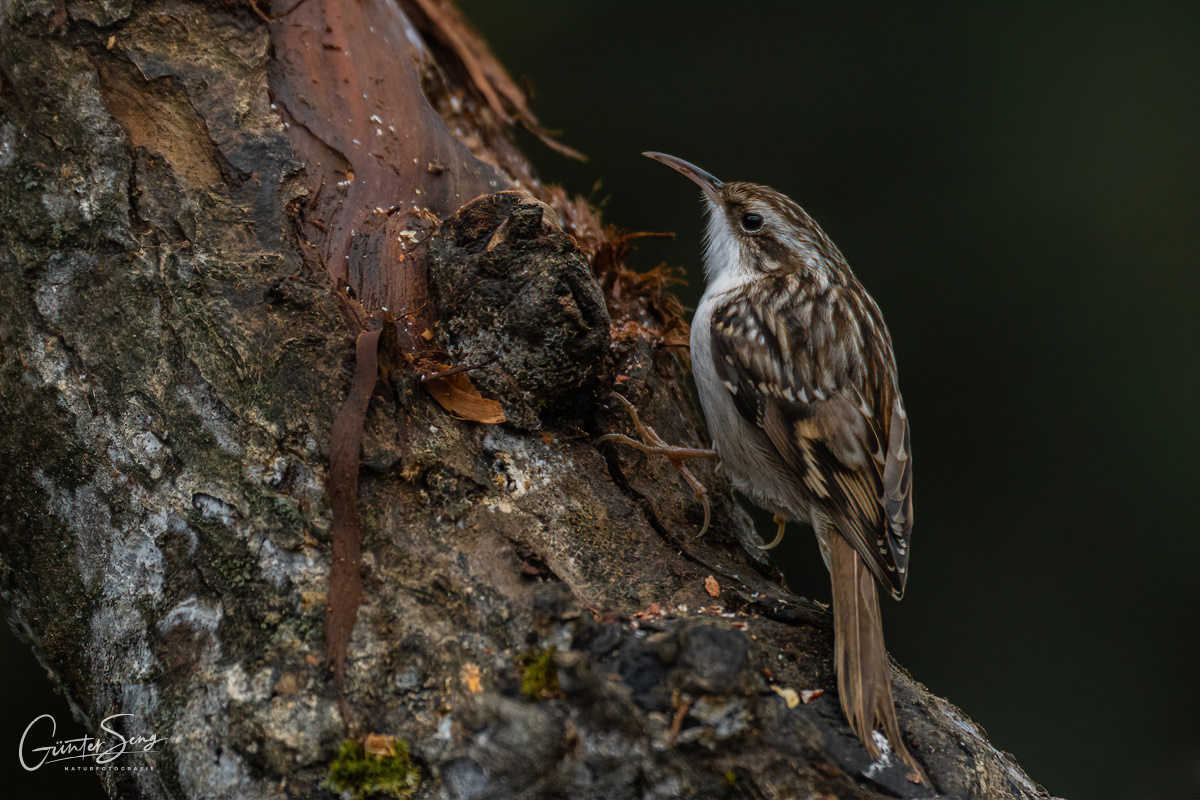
(346, 581)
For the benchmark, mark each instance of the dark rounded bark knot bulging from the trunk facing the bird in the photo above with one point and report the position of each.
(508, 282)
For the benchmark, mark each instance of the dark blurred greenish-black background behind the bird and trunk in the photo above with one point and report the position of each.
(1017, 185)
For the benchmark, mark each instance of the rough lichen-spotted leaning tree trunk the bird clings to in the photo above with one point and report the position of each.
(201, 209)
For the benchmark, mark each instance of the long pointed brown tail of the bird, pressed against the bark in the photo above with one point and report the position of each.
(860, 657)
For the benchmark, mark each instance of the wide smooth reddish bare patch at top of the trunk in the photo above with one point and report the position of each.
(347, 76)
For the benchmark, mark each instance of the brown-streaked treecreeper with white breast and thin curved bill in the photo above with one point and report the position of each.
(797, 378)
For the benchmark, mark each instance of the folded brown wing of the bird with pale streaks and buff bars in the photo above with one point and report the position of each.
(818, 382)
